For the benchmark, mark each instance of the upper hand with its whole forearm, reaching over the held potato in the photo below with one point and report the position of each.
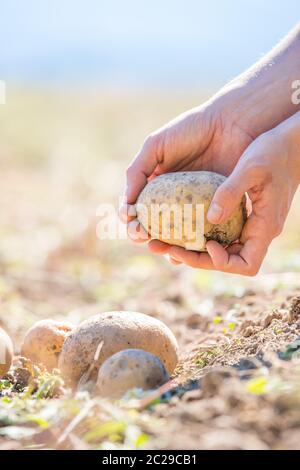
(214, 136)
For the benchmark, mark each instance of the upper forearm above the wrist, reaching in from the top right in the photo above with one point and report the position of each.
(261, 98)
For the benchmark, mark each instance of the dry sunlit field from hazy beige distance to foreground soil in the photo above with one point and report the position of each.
(63, 152)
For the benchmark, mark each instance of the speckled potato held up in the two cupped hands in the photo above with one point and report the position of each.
(166, 208)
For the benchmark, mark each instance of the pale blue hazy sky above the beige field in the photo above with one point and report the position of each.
(138, 42)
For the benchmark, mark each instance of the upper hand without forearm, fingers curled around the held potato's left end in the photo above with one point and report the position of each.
(203, 138)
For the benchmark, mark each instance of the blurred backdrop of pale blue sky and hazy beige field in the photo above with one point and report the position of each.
(86, 81)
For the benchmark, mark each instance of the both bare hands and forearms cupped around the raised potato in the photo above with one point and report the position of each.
(245, 121)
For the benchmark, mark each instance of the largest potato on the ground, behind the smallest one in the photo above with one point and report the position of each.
(116, 331)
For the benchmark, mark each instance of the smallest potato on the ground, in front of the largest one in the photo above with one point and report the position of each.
(130, 368)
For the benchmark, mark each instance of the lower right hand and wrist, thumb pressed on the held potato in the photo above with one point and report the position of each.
(269, 172)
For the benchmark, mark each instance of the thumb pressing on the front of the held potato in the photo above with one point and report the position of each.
(229, 195)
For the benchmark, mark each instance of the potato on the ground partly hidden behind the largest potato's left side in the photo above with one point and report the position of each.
(43, 342)
